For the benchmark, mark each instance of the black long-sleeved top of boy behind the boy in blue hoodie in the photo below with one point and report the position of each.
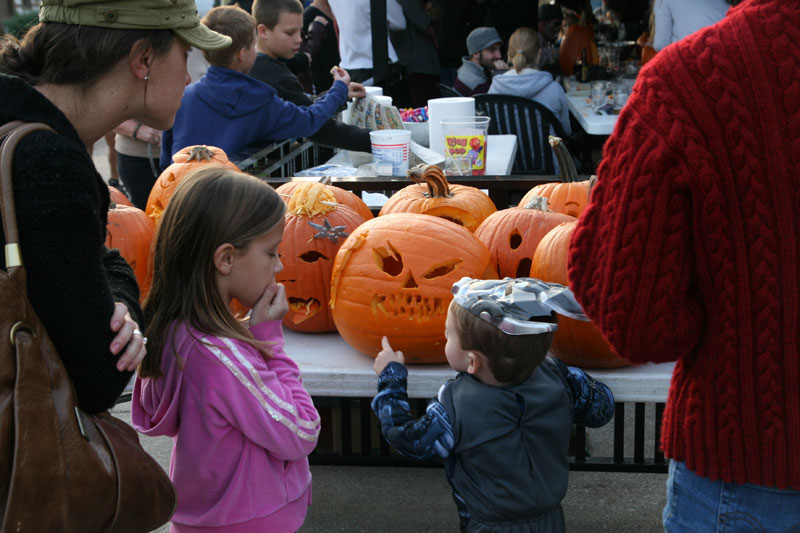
(334, 132)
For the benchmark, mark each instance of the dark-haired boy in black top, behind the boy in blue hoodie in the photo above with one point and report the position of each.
(279, 37)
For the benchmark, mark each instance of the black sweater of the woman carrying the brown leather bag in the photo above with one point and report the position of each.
(73, 280)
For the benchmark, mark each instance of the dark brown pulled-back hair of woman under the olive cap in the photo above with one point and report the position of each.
(71, 54)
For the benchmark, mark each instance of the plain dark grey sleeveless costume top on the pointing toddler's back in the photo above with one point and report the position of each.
(510, 459)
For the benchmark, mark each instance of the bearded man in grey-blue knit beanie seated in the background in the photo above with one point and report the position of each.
(475, 74)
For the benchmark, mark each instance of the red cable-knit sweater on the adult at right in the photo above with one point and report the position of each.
(690, 248)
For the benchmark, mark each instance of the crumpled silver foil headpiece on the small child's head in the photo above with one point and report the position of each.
(509, 304)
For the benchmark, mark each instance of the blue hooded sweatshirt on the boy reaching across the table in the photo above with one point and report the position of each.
(230, 110)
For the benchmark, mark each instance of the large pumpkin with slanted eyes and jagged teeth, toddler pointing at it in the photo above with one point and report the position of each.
(393, 276)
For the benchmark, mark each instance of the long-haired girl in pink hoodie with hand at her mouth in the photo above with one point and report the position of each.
(242, 424)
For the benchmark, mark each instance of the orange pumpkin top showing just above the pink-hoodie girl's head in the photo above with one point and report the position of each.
(184, 161)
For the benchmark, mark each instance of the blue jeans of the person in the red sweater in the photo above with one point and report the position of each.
(695, 503)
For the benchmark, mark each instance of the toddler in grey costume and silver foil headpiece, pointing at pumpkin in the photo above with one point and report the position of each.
(502, 426)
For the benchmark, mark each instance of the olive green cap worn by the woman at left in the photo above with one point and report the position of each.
(180, 16)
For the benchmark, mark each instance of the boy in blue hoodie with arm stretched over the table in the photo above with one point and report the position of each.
(230, 110)
